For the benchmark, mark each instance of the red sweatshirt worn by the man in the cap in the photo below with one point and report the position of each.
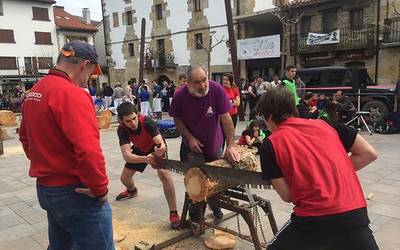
(60, 136)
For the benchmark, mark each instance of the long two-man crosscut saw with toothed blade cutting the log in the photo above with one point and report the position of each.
(236, 176)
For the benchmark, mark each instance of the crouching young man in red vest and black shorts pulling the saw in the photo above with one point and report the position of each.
(148, 146)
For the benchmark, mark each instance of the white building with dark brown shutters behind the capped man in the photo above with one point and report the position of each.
(28, 43)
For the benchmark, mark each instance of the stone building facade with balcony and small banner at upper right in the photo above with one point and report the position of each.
(367, 35)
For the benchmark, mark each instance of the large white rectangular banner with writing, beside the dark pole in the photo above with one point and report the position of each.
(259, 47)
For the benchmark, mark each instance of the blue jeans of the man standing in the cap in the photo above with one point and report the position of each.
(76, 221)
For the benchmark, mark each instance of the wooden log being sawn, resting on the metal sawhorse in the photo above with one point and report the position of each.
(199, 187)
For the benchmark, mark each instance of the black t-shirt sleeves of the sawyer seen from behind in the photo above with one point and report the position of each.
(269, 167)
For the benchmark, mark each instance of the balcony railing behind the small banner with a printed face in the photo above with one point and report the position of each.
(349, 39)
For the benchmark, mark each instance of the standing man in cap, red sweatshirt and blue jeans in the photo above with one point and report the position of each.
(60, 136)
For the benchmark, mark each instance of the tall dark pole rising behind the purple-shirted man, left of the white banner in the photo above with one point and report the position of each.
(232, 43)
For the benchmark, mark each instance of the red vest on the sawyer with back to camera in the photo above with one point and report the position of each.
(321, 182)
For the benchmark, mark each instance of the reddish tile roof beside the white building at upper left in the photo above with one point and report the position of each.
(66, 21)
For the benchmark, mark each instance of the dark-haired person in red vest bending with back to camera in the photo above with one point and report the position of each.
(329, 205)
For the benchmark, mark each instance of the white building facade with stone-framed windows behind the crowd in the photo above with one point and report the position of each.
(178, 33)
